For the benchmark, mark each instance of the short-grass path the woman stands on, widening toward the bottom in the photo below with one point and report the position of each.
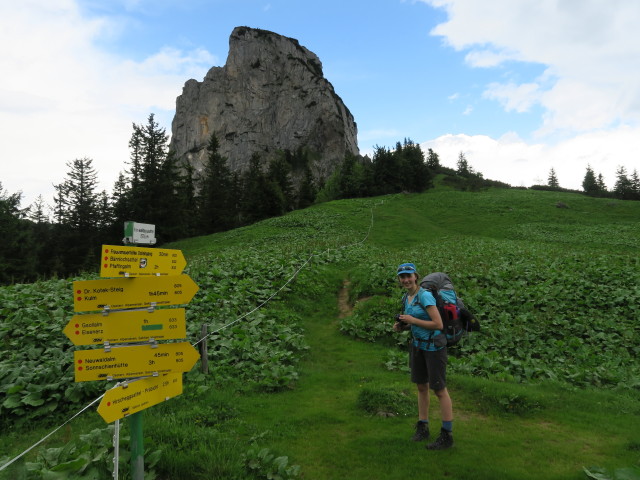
(319, 426)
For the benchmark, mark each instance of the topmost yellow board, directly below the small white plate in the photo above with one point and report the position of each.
(132, 261)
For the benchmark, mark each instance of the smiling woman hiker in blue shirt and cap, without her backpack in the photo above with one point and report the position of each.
(427, 357)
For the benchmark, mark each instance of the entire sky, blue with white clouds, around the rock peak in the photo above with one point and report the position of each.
(519, 87)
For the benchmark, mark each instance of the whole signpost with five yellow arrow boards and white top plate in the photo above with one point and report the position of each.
(141, 278)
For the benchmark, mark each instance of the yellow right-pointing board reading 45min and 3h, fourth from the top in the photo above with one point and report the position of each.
(133, 361)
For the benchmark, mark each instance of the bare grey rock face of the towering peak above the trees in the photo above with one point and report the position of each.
(270, 96)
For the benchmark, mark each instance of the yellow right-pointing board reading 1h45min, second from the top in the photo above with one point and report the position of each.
(120, 293)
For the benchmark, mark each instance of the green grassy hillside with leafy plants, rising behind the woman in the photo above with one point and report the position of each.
(314, 377)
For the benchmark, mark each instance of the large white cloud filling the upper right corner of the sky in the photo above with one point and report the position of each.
(590, 47)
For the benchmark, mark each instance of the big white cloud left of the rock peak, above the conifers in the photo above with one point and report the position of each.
(62, 97)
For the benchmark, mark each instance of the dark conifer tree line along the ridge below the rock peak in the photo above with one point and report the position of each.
(63, 239)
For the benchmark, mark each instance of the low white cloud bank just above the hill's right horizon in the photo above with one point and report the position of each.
(514, 161)
